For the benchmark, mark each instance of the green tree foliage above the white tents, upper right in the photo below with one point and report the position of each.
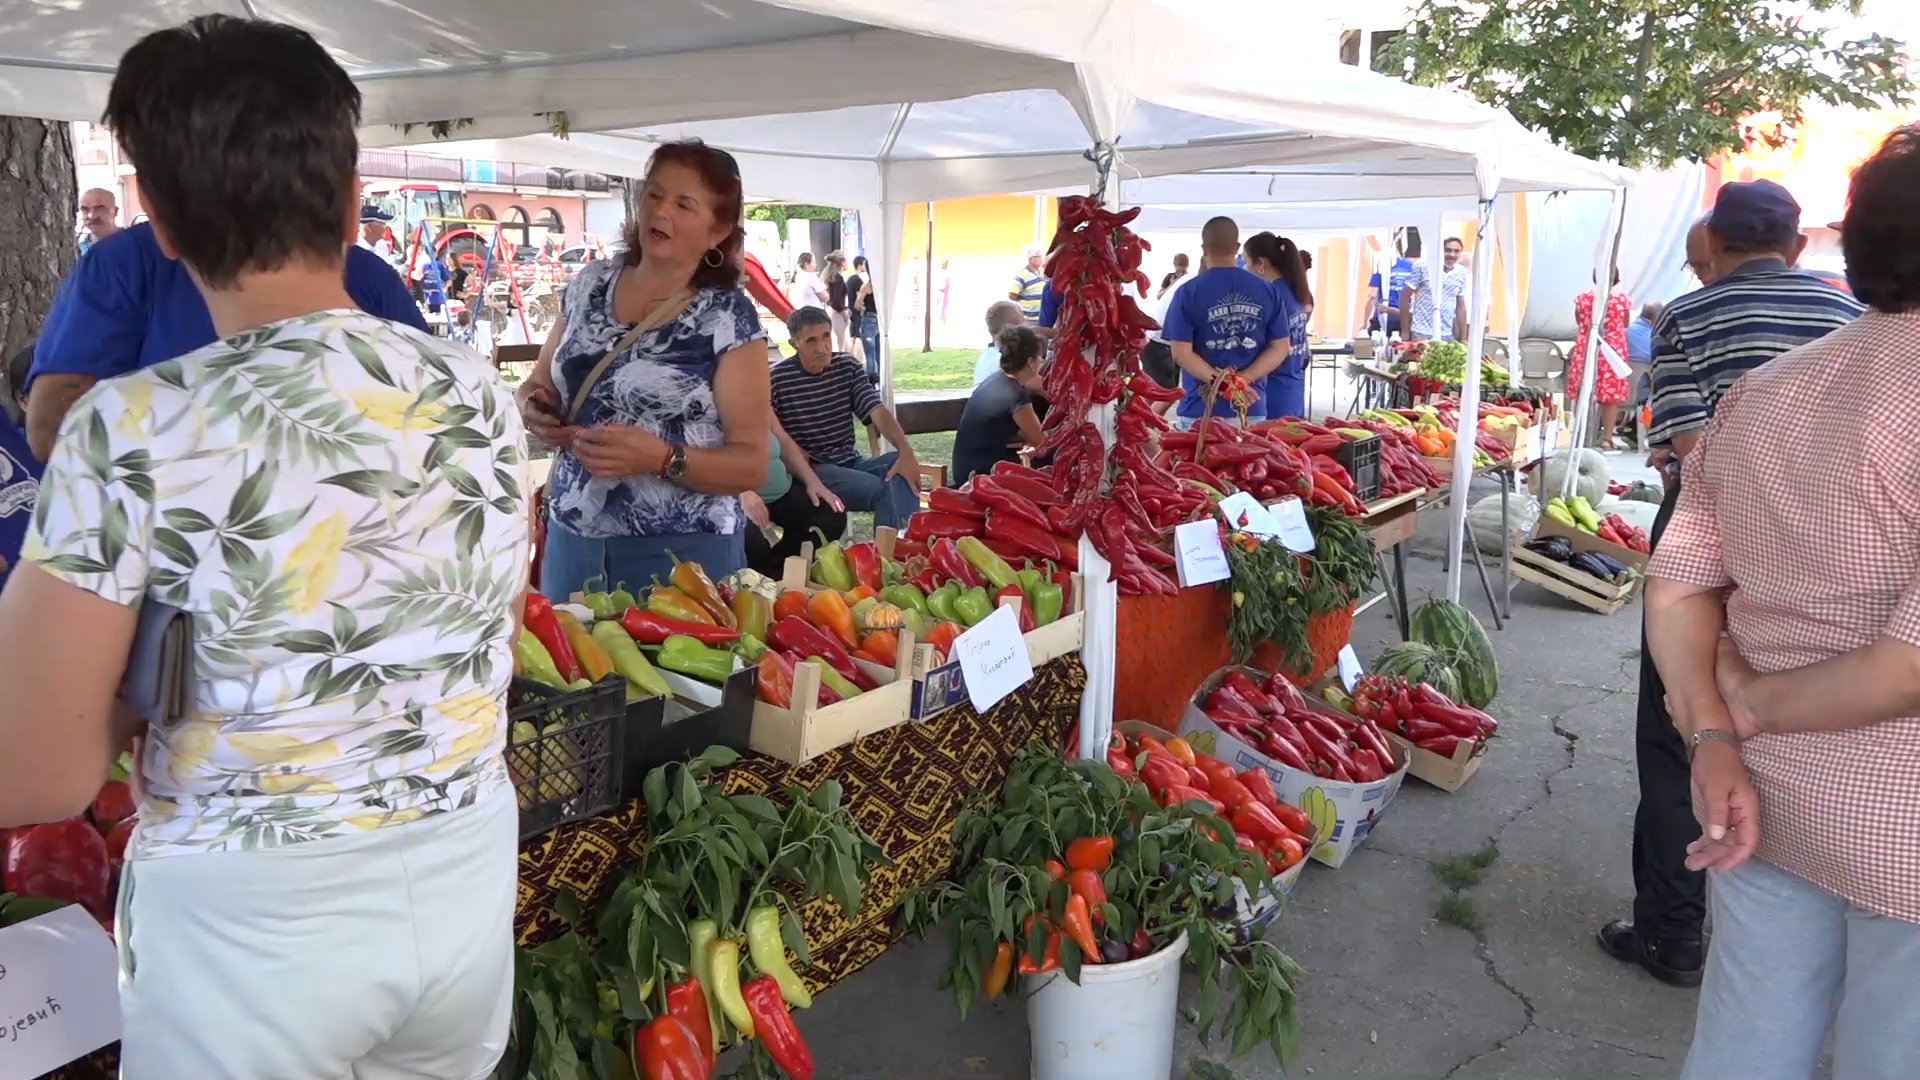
(1652, 82)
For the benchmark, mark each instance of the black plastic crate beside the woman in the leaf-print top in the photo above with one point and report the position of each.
(565, 764)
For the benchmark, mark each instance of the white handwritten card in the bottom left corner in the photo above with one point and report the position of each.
(59, 993)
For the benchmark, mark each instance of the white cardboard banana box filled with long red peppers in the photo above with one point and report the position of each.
(1343, 814)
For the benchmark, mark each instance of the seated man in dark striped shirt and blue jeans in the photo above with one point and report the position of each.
(817, 399)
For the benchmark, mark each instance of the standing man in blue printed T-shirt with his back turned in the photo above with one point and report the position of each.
(1224, 320)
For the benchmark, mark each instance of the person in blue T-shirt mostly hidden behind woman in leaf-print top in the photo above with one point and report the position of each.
(130, 307)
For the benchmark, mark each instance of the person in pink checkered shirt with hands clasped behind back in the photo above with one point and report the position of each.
(1796, 537)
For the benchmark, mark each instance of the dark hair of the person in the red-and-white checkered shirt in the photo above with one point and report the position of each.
(1881, 233)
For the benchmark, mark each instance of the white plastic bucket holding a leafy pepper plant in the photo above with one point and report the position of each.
(1116, 1025)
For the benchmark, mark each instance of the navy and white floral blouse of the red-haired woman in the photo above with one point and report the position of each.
(663, 385)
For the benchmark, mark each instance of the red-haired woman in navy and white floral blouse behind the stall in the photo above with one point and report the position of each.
(660, 433)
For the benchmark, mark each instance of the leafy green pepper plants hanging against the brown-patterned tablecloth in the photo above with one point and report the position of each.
(709, 856)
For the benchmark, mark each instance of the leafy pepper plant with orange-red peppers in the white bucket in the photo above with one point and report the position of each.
(1172, 871)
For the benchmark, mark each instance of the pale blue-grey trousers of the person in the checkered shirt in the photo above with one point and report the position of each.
(1792, 962)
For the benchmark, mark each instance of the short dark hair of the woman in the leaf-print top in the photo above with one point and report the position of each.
(243, 135)
